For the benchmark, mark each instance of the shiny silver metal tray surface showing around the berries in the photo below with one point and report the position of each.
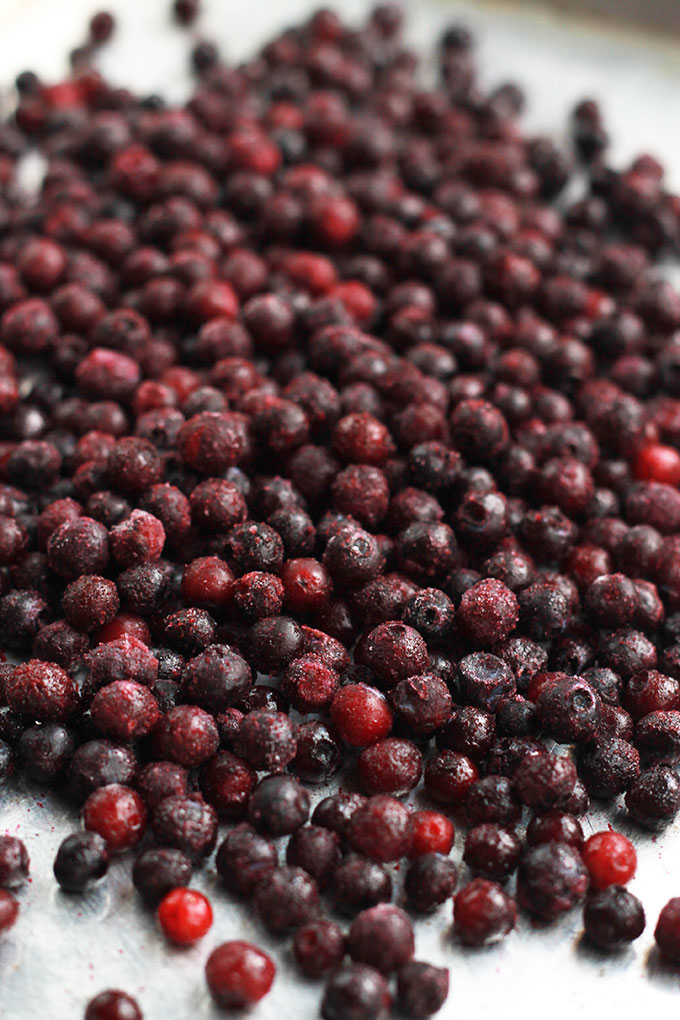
(64, 950)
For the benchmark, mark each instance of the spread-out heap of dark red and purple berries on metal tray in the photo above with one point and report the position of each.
(333, 448)
